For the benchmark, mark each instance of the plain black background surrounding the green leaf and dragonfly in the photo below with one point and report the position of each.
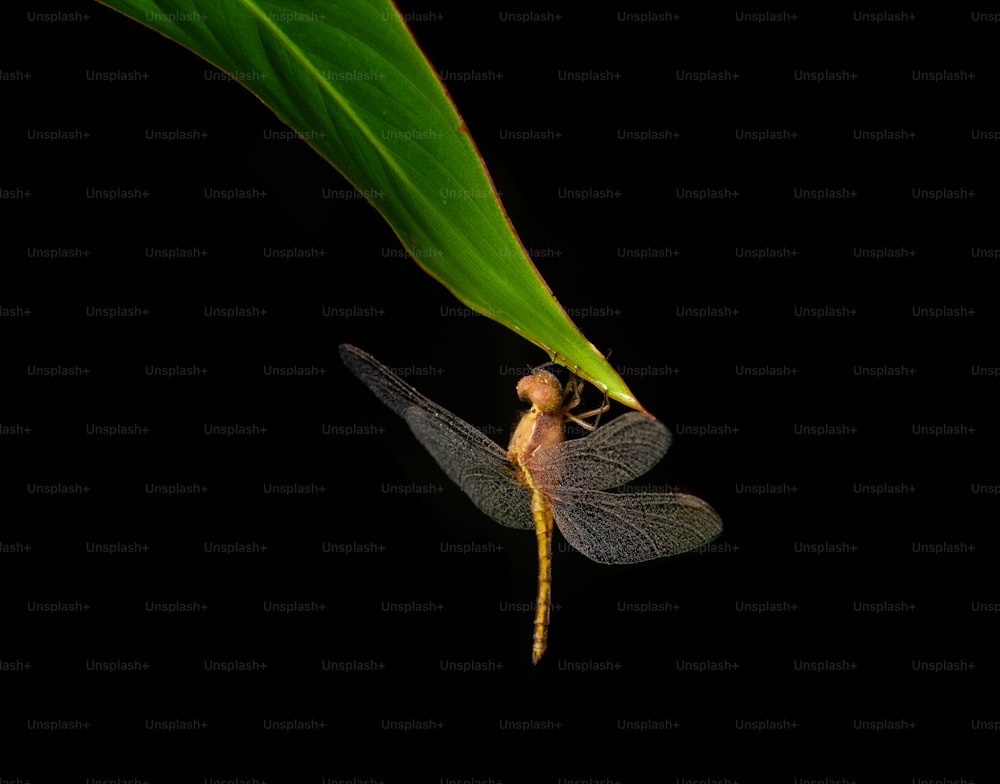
(605, 665)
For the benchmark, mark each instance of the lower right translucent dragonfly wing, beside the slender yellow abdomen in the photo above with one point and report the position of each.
(622, 528)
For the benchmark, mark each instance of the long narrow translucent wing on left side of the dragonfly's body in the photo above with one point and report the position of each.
(470, 459)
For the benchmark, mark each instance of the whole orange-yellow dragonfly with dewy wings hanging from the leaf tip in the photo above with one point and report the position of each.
(542, 478)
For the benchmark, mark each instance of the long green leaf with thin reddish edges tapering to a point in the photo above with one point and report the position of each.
(349, 77)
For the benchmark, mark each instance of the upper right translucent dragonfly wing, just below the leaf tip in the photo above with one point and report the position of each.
(614, 454)
